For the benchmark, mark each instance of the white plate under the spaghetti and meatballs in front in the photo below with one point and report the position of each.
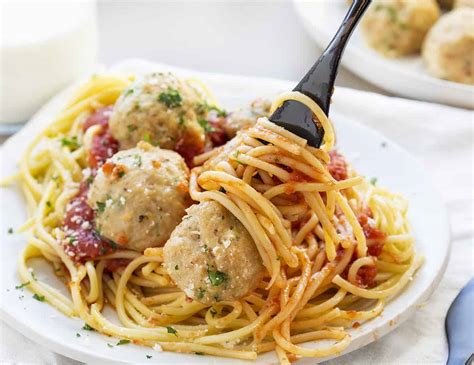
(394, 167)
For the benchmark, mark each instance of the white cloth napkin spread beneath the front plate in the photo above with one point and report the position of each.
(442, 138)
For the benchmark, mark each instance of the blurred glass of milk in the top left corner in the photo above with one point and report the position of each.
(45, 46)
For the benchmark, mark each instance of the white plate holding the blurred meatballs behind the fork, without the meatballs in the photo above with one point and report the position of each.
(406, 76)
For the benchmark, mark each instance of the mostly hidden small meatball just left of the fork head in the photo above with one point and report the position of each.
(246, 117)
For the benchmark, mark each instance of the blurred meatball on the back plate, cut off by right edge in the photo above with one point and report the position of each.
(448, 50)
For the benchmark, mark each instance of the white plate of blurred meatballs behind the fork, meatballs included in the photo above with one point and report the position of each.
(405, 47)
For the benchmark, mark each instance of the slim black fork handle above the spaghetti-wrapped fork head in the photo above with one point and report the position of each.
(318, 83)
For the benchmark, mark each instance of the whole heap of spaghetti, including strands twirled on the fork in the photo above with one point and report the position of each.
(335, 247)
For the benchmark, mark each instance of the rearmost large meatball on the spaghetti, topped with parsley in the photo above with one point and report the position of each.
(161, 109)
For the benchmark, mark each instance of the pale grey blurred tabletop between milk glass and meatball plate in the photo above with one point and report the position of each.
(256, 38)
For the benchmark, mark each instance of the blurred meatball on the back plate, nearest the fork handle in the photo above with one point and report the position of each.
(397, 27)
